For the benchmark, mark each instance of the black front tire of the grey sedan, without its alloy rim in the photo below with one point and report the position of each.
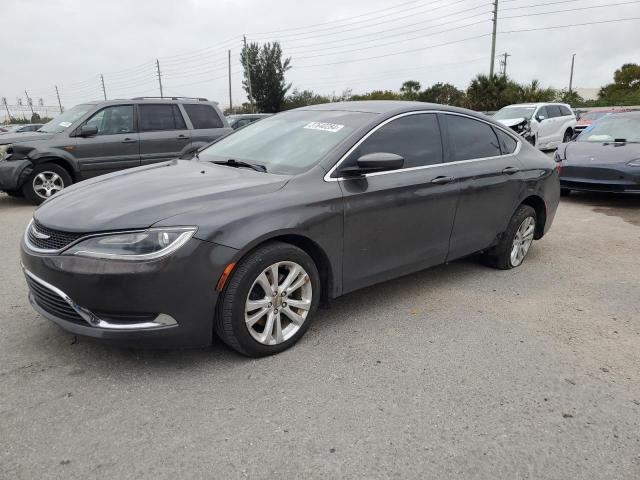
(237, 290)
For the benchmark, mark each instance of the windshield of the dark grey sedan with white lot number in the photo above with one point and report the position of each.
(287, 143)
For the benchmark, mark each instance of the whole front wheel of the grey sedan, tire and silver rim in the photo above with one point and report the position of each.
(269, 300)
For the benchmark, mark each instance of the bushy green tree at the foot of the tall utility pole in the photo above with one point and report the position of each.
(488, 93)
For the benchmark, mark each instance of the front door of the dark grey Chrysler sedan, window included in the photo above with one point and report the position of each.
(398, 221)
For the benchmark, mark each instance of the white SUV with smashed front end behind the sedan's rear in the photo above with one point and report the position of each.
(544, 125)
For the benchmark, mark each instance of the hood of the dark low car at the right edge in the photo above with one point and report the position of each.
(589, 153)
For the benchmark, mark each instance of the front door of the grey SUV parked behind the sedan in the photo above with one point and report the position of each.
(114, 147)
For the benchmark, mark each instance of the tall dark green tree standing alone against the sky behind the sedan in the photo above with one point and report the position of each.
(264, 67)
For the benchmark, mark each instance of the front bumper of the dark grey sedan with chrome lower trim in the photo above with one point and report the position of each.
(167, 303)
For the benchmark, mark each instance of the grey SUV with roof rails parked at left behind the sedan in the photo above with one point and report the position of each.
(102, 137)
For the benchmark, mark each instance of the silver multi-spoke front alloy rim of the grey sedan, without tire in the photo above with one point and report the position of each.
(278, 303)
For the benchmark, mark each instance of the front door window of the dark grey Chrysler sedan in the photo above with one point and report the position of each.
(416, 138)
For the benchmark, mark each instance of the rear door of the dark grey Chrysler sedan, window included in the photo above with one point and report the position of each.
(489, 181)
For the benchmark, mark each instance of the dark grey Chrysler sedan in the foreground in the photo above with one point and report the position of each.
(250, 238)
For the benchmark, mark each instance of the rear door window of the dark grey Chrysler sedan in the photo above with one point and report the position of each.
(471, 138)
